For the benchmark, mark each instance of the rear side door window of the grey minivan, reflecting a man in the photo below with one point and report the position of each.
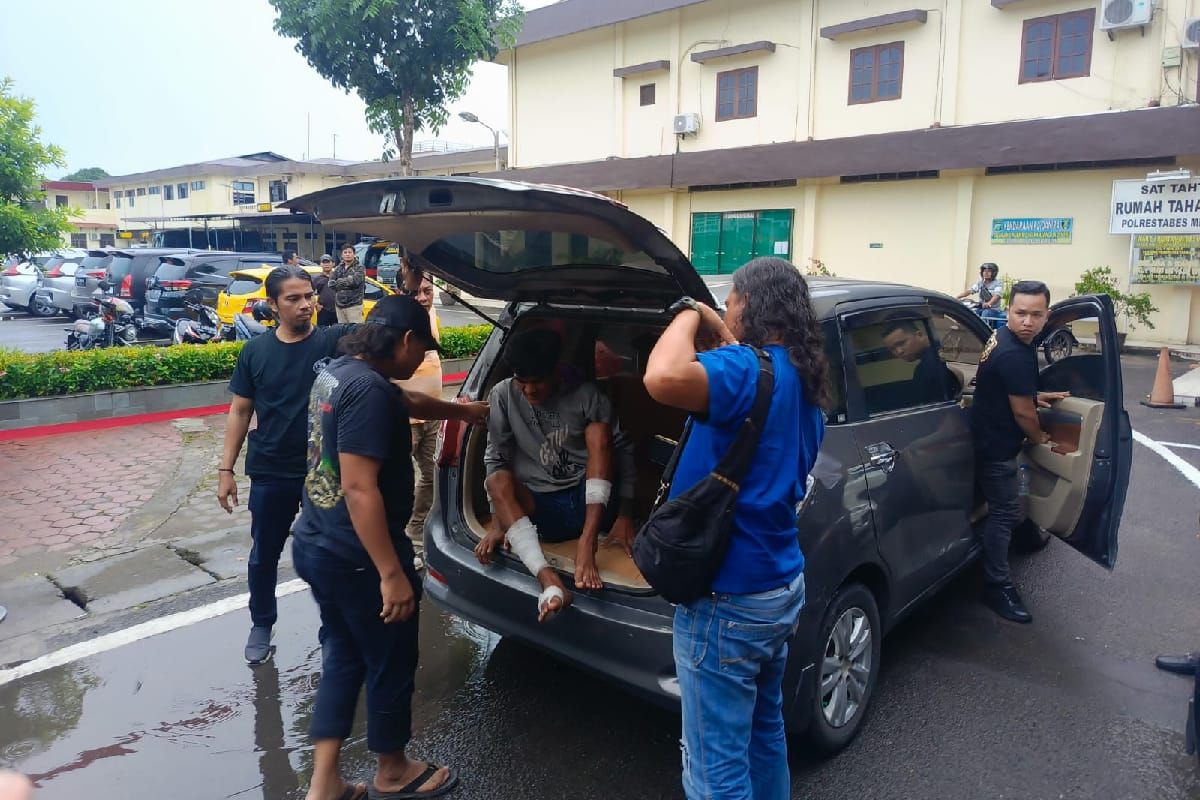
(899, 368)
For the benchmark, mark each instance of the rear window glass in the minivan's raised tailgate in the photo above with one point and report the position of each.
(502, 251)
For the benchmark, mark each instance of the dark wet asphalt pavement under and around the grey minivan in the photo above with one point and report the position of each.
(967, 706)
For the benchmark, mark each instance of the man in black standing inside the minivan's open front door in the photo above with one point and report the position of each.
(1004, 416)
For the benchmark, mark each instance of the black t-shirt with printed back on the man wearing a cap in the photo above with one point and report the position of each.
(356, 411)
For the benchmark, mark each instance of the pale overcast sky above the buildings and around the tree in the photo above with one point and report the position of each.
(133, 86)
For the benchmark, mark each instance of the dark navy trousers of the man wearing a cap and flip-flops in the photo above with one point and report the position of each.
(359, 648)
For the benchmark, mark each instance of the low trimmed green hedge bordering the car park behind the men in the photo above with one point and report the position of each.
(73, 372)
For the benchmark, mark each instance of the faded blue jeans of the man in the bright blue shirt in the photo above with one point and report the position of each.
(730, 653)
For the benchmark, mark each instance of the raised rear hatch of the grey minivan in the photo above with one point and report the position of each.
(514, 242)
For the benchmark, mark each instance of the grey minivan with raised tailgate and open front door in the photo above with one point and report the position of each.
(892, 512)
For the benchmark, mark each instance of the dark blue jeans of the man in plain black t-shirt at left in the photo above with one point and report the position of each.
(274, 504)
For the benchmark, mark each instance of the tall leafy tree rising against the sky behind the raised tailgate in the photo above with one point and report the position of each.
(406, 59)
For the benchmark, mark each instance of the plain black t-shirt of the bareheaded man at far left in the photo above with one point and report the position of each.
(278, 377)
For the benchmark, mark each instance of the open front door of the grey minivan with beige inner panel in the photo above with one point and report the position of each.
(1078, 483)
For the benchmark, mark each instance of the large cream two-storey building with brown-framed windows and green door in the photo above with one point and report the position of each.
(883, 141)
